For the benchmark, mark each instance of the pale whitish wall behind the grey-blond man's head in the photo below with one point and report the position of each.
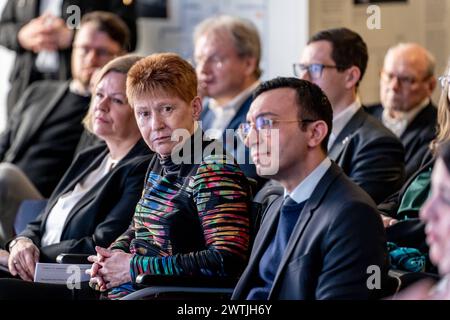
(281, 23)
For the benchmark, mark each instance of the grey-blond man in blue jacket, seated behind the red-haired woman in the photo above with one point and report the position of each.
(227, 55)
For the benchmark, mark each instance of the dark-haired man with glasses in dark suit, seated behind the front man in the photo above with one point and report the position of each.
(369, 154)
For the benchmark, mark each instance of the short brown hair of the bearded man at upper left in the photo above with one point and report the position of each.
(111, 24)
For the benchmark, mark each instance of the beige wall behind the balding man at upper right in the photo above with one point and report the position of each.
(425, 22)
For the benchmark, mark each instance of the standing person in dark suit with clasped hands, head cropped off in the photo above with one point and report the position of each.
(33, 28)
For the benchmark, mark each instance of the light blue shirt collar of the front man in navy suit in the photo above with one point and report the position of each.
(306, 187)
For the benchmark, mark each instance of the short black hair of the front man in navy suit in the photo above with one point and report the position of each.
(311, 101)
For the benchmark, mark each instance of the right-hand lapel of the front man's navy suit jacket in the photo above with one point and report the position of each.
(311, 205)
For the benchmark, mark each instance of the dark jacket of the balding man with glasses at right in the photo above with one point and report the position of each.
(417, 136)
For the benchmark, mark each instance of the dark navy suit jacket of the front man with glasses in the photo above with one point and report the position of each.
(338, 236)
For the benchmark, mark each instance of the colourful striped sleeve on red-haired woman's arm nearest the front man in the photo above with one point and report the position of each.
(222, 200)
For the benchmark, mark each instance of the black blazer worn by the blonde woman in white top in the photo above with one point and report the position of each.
(105, 212)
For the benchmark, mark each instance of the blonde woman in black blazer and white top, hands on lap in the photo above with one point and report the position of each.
(95, 200)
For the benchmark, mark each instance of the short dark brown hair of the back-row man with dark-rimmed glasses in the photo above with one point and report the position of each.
(348, 48)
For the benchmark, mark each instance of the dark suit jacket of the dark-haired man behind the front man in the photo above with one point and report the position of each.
(370, 155)
